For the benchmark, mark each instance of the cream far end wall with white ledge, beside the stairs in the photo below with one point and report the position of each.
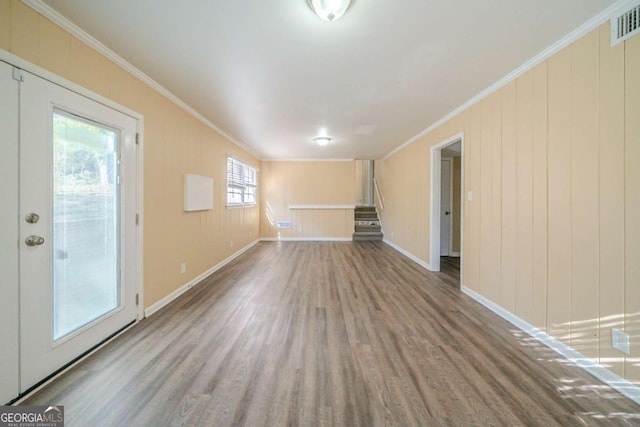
(307, 183)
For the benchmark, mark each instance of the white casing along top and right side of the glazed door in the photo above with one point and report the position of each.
(18, 62)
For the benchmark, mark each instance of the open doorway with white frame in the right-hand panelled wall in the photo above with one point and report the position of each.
(446, 229)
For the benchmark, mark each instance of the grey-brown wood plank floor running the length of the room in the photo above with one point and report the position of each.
(345, 334)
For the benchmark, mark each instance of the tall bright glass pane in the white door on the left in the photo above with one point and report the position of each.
(85, 222)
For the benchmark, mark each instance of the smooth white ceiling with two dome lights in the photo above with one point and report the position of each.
(273, 75)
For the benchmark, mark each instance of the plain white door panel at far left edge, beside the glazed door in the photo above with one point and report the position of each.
(9, 363)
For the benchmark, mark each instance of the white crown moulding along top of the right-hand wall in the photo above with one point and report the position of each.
(576, 34)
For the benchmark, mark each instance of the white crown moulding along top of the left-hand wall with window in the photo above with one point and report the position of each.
(55, 17)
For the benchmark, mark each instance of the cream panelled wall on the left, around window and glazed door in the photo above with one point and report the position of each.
(175, 143)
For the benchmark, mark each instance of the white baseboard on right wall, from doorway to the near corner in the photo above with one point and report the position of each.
(625, 387)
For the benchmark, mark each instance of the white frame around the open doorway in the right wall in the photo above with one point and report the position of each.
(436, 158)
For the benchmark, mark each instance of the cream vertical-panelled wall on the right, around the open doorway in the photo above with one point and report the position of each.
(553, 231)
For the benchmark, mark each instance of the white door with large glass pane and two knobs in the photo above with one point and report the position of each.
(77, 226)
